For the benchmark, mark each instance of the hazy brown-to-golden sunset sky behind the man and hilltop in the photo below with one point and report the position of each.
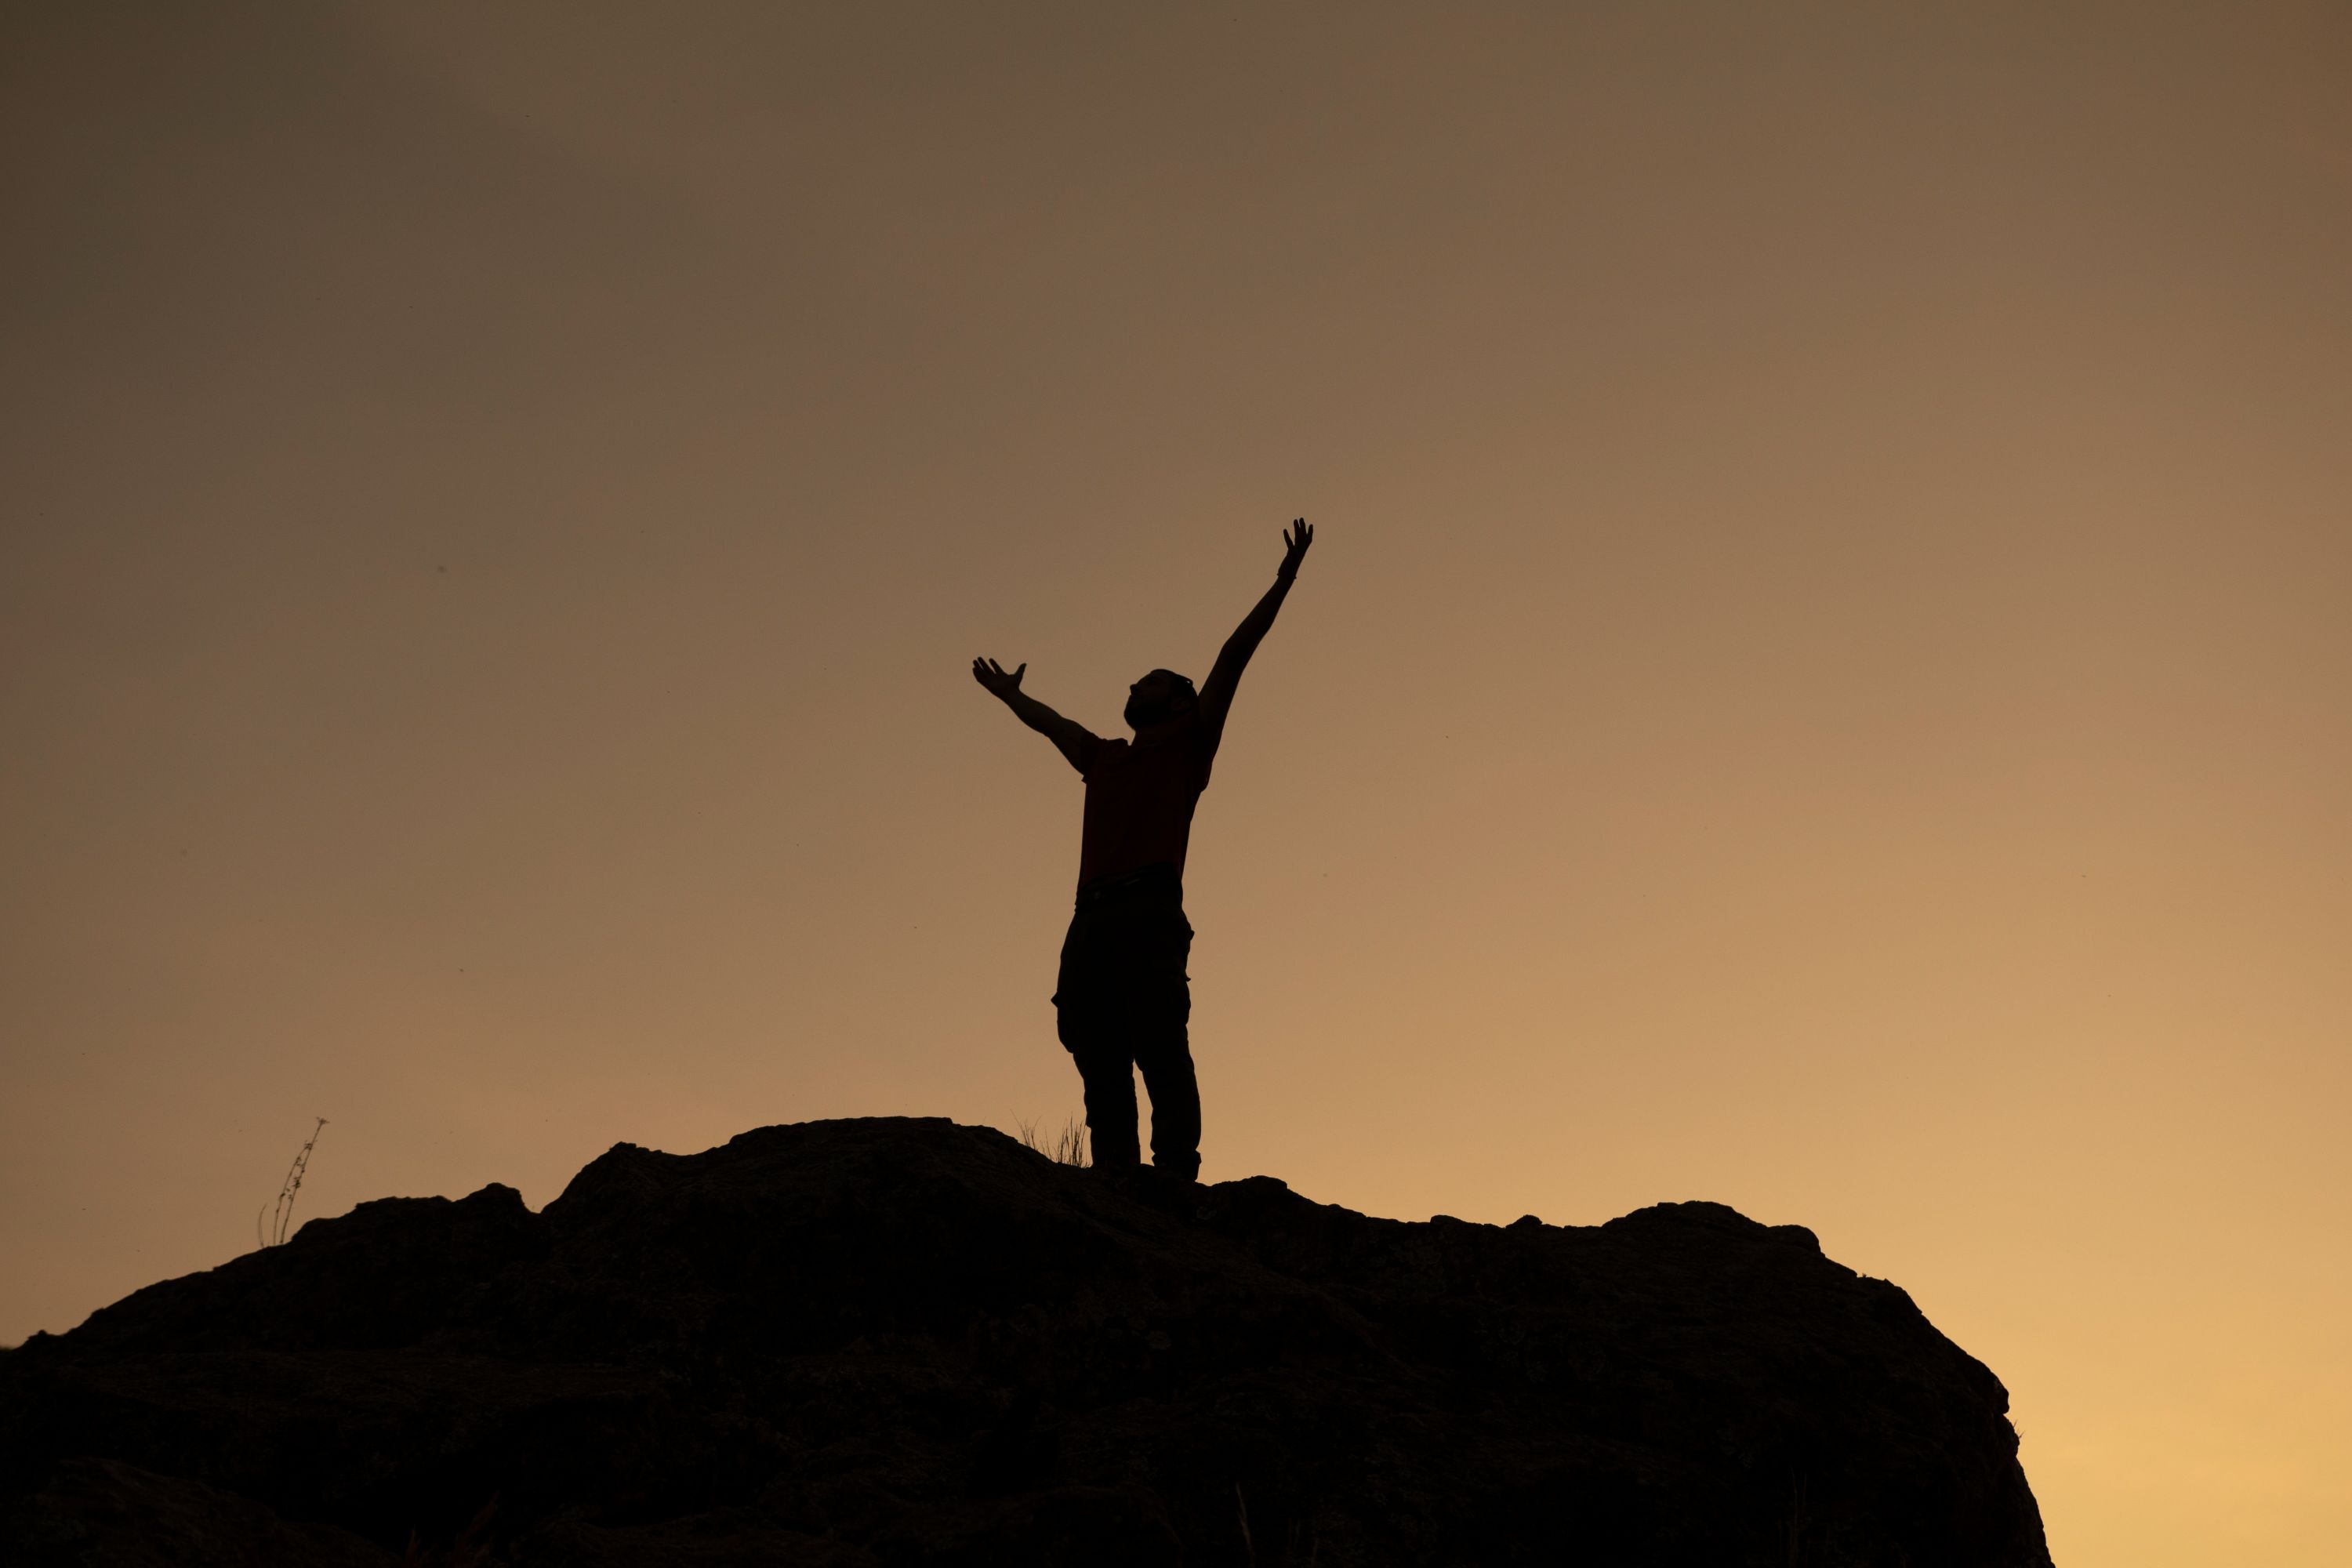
(1824, 681)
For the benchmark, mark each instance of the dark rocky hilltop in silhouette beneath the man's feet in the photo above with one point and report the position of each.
(895, 1341)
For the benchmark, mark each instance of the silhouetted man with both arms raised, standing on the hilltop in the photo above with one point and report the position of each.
(1123, 996)
